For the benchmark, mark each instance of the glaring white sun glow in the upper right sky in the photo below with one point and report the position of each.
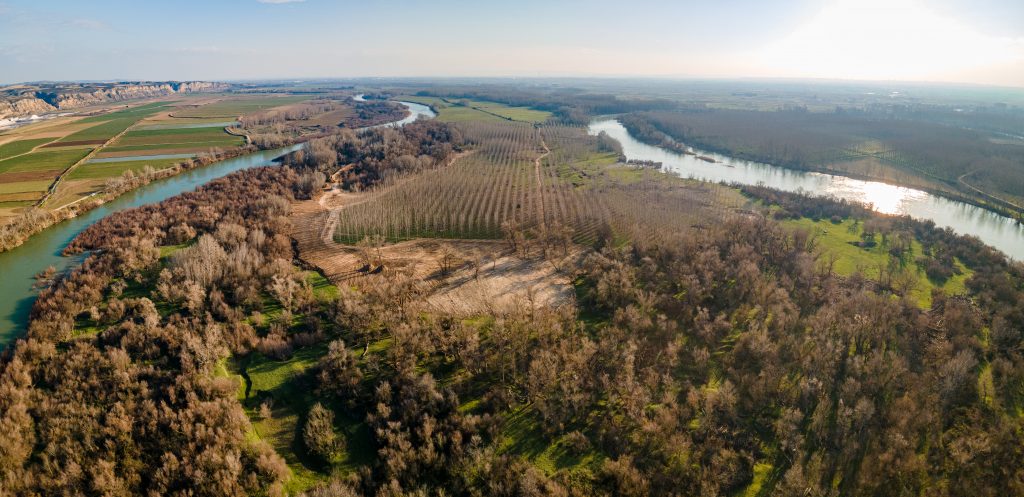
(886, 39)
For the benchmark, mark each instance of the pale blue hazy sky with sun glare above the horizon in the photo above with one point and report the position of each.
(979, 42)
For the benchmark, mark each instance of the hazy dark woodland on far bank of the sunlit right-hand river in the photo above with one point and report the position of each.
(800, 140)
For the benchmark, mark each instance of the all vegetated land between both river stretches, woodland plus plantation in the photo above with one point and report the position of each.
(712, 347)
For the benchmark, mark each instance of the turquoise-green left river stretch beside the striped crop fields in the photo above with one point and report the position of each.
(20, 266)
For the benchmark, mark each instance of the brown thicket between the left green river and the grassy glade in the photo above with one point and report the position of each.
(136, 407)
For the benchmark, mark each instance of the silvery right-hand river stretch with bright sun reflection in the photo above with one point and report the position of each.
(1000, 232)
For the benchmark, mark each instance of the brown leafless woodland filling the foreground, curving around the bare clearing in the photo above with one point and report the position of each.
(698, 367)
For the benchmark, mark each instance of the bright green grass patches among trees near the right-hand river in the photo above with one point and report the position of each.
(838, 239)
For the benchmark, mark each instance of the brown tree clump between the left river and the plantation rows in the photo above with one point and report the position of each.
(361, 160)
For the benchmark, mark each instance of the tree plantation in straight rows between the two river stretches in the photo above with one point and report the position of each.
(511, 179)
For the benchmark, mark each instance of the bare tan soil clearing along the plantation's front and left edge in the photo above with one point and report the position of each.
(467, 277)
